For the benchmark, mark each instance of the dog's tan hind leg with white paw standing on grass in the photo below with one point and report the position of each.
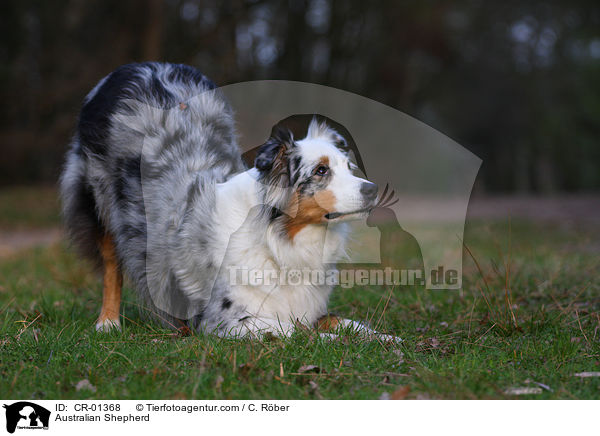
(111, 291)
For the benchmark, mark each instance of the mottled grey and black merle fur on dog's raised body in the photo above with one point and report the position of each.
(166, 125)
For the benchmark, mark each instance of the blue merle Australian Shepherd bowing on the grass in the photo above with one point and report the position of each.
(154, 188)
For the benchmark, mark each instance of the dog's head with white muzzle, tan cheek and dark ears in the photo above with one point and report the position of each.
(311, 181)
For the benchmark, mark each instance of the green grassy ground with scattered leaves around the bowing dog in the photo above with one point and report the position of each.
(525, 325)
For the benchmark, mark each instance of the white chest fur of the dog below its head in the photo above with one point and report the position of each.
(258, 281)
